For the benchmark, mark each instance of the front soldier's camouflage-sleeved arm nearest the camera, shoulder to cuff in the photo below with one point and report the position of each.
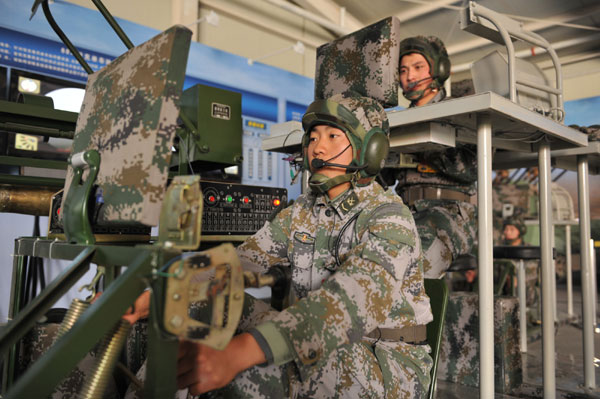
(353, 301)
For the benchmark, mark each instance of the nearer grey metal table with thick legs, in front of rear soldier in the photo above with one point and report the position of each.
(485, 119)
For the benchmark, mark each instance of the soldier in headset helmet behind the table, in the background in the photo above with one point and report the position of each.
(446, 223)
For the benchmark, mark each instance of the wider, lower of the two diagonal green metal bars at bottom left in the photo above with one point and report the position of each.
(63, 356)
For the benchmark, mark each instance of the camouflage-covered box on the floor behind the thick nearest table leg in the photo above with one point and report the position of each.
(459, 355)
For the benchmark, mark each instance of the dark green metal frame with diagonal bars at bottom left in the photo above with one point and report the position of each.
(141, 260)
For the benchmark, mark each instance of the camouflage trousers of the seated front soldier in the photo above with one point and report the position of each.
(352, 371)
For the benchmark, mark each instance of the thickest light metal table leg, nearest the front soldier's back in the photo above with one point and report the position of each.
(485, 256)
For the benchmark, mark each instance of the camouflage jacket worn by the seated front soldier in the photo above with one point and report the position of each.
(379, 282)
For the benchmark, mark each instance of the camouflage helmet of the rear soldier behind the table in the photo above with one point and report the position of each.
(435, 53)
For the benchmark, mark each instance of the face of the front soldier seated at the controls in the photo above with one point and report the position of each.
(329, 144)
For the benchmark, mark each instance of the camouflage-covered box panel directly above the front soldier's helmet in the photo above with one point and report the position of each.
(365, 61)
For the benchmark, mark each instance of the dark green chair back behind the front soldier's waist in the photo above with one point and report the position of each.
(437, 291)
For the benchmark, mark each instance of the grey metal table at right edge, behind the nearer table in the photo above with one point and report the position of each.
(584, 160)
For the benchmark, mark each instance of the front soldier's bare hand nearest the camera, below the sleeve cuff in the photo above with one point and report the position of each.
(203, 369)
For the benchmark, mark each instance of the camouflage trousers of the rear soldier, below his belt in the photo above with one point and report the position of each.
(447, 229)
